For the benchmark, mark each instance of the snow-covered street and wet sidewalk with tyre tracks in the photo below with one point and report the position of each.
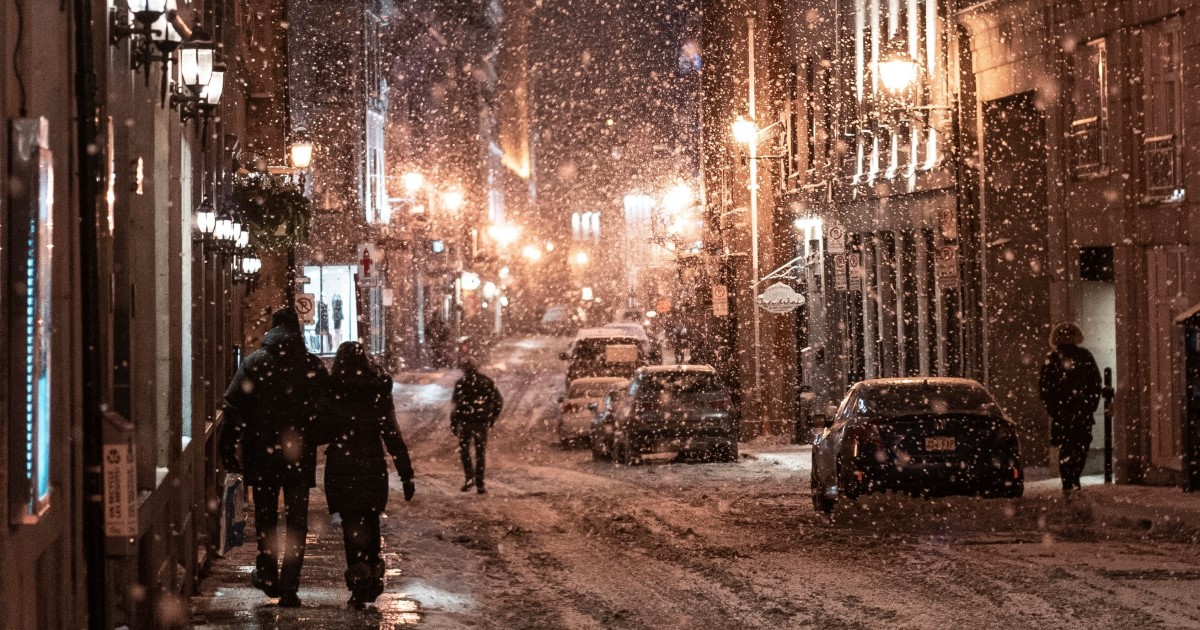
(565, 542)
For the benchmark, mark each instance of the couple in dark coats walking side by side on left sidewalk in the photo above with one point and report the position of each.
(283, 405)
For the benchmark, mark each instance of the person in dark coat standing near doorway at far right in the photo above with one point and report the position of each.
(1071, 392)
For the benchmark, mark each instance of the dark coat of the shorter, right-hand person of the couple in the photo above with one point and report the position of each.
(362, 421)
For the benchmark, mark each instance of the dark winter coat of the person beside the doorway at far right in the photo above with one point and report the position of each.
(1071, 392)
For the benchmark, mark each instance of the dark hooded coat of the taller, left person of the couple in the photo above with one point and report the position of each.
(272, 412)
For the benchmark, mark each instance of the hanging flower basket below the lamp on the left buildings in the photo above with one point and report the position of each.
(274, 209)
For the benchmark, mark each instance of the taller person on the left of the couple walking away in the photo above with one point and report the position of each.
(272, 413)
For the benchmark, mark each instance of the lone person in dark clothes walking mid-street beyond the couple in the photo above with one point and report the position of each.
(477, 405)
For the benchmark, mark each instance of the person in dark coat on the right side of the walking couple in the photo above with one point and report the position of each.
(362, 419)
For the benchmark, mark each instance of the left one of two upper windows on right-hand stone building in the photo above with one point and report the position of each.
(1089, 109)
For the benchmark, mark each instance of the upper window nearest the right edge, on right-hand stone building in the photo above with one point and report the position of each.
(1162, 139)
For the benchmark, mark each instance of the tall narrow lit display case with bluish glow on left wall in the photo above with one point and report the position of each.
(29, 285)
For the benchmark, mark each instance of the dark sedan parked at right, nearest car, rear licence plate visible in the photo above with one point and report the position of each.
(921, 436)
